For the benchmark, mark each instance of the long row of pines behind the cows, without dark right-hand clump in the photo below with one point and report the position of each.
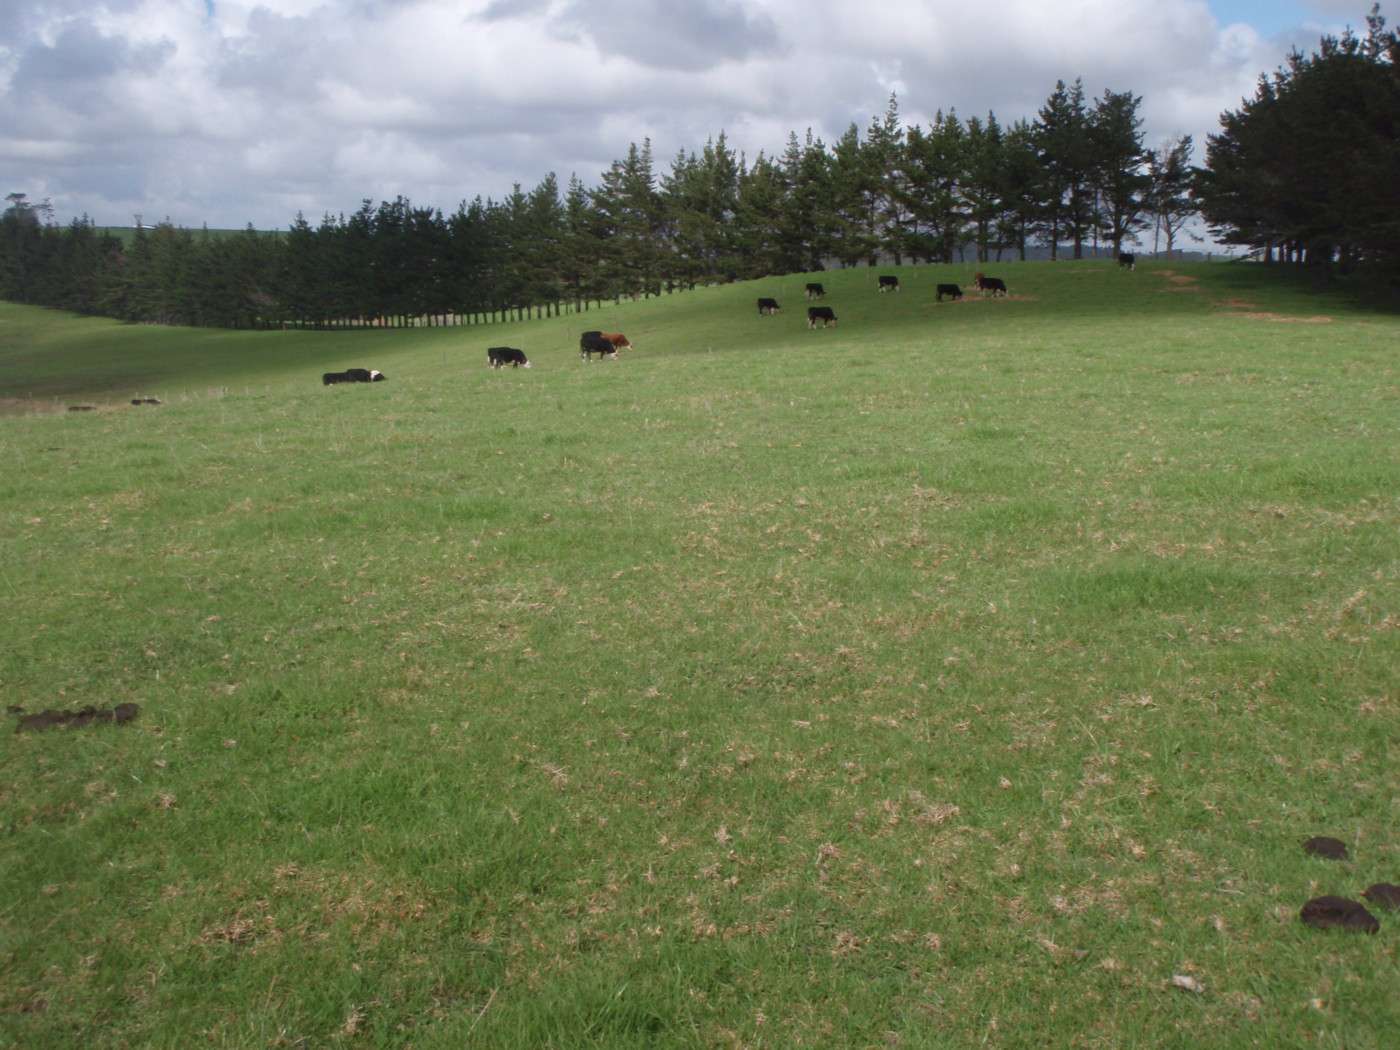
(1076, 176)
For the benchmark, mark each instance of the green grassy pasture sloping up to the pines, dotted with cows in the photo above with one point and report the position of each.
(957, 677)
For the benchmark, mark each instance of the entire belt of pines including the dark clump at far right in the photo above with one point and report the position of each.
(1307, 167)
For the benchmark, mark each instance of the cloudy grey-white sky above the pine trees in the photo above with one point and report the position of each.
(247, 111)
